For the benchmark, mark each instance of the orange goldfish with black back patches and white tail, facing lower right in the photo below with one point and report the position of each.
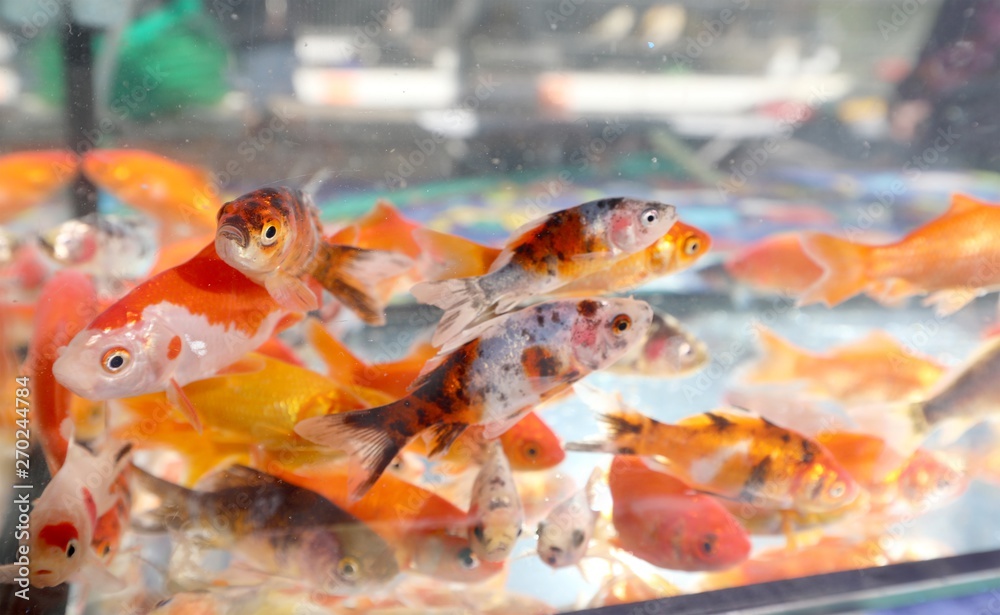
(731, 453)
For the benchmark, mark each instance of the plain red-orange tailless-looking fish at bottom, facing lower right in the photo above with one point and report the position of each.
(662, 520)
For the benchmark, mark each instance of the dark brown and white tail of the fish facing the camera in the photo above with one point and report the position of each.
(351, 275)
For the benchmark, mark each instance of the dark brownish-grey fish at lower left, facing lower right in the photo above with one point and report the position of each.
(278, 527)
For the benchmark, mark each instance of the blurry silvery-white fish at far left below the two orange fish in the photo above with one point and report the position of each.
(106, 246)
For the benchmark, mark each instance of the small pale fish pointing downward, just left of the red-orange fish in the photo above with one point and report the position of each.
(566, 531)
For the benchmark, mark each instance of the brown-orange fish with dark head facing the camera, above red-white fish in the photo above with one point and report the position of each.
(274, 237)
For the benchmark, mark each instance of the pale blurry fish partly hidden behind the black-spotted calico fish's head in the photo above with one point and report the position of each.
(670, 351)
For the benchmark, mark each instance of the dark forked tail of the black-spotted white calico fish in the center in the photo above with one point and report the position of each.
(366, 436)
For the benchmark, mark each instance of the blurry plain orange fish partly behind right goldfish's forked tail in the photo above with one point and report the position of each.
(775, 264)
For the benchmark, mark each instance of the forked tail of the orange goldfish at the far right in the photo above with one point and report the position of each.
(844, 266)
